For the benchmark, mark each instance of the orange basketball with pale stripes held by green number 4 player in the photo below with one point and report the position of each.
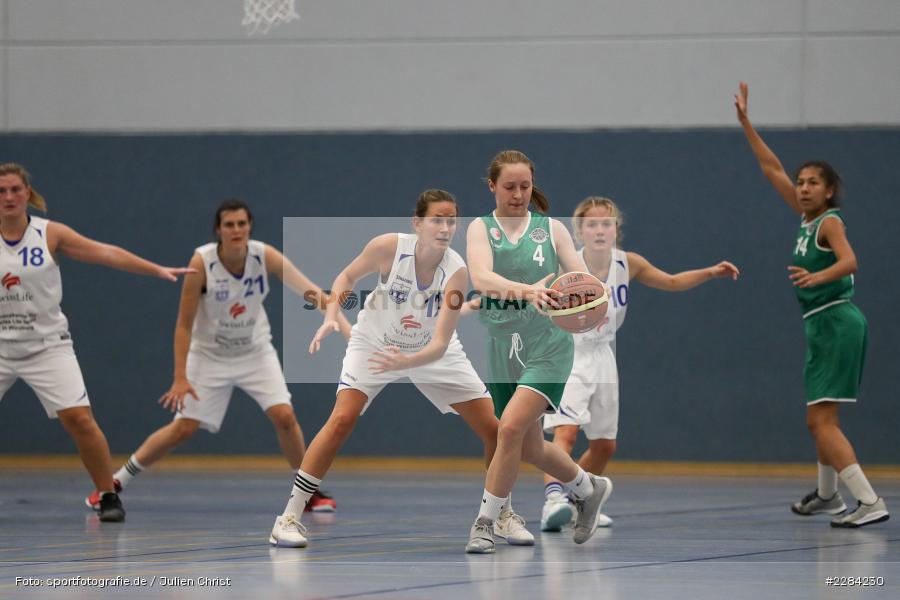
(583, 303)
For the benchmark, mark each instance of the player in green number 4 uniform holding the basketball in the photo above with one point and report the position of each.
(512, 255)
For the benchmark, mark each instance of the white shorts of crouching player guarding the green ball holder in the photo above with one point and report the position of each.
(449, 380)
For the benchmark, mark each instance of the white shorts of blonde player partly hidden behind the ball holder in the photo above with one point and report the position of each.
(591, 397)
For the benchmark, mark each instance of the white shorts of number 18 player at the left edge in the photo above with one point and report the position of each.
(53, 374)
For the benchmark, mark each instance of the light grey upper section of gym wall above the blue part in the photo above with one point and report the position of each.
(430, 64)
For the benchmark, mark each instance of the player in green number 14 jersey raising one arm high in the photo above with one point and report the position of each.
(836, 330)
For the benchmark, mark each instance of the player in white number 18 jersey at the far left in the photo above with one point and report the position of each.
(35, 344)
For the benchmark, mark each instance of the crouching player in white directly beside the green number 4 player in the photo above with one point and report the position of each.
(407, 328)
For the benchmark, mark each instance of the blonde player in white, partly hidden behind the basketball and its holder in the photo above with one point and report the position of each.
(590, 401)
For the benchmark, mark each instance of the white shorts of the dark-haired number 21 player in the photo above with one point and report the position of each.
(214, 379)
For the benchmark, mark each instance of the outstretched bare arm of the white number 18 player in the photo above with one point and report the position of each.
(63, 239)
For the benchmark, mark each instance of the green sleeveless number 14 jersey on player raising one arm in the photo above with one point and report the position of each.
(809, 255)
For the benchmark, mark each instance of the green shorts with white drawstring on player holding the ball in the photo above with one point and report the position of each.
(539, 359)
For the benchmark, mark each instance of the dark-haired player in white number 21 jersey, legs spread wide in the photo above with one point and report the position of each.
(223, 341)
